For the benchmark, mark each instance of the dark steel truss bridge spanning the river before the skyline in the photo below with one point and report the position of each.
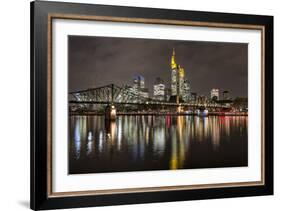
(124, 96)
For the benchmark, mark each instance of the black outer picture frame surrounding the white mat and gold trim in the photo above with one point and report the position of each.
(40, 112)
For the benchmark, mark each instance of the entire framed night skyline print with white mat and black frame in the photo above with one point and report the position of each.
(137, 105)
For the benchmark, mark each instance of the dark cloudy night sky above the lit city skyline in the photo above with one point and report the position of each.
(98, 61)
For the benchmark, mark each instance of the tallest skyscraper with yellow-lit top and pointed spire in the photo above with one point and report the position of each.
(180, 88)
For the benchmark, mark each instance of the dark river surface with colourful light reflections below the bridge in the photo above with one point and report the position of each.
(139, 143)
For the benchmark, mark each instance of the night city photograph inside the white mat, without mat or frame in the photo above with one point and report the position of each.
(132, 105)
